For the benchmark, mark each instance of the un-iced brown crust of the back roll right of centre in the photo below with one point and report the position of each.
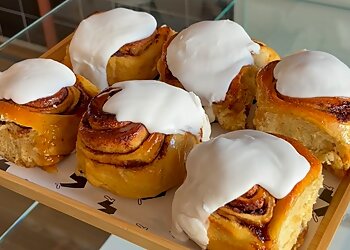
(233, 111)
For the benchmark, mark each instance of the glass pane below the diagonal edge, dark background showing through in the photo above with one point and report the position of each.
(64, 18)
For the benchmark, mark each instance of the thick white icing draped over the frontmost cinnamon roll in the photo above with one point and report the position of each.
(224, 168)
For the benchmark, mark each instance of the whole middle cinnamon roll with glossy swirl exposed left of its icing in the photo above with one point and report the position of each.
(134, 142)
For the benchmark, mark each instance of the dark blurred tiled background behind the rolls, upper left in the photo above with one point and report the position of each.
(22, 19)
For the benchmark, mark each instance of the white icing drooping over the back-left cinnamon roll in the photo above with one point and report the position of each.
(99, 36)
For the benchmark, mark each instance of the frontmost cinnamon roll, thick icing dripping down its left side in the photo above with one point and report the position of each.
(247, 190)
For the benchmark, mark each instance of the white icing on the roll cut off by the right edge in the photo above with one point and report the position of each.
(312, 74)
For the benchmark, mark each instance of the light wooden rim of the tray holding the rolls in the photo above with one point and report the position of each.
(134, 233)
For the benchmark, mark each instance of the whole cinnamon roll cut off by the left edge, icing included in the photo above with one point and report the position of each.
(41, 103)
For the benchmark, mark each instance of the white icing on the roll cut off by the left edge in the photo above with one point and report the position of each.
(33, 79)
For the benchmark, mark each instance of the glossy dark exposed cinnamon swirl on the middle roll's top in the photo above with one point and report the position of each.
(123, 144)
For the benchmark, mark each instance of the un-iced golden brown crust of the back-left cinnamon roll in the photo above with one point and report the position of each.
(136, 60)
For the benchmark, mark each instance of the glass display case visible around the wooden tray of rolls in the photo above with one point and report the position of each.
(285, 25)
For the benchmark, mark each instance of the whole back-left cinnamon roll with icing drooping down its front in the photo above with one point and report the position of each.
(115, 46)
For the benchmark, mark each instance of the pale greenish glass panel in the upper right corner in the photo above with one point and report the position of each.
(289, 26)
